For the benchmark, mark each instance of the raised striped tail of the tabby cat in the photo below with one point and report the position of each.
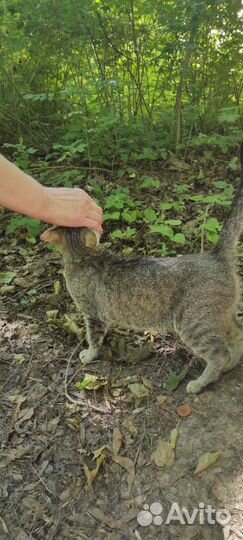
(233, 226)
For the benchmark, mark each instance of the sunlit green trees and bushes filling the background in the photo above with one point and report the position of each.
(99, 80)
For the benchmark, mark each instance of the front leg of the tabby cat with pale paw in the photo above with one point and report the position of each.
(95, 336)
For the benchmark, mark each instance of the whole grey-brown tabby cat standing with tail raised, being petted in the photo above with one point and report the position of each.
(195, 296)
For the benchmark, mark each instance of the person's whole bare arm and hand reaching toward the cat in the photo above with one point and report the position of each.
(67, 207)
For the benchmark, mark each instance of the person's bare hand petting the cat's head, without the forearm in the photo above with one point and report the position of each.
(72, 207)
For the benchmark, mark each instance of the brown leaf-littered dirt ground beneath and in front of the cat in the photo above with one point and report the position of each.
(77, 463)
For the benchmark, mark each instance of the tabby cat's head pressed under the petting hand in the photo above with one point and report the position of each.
(72, 239)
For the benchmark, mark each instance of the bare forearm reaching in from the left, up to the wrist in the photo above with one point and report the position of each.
(21, 193)
